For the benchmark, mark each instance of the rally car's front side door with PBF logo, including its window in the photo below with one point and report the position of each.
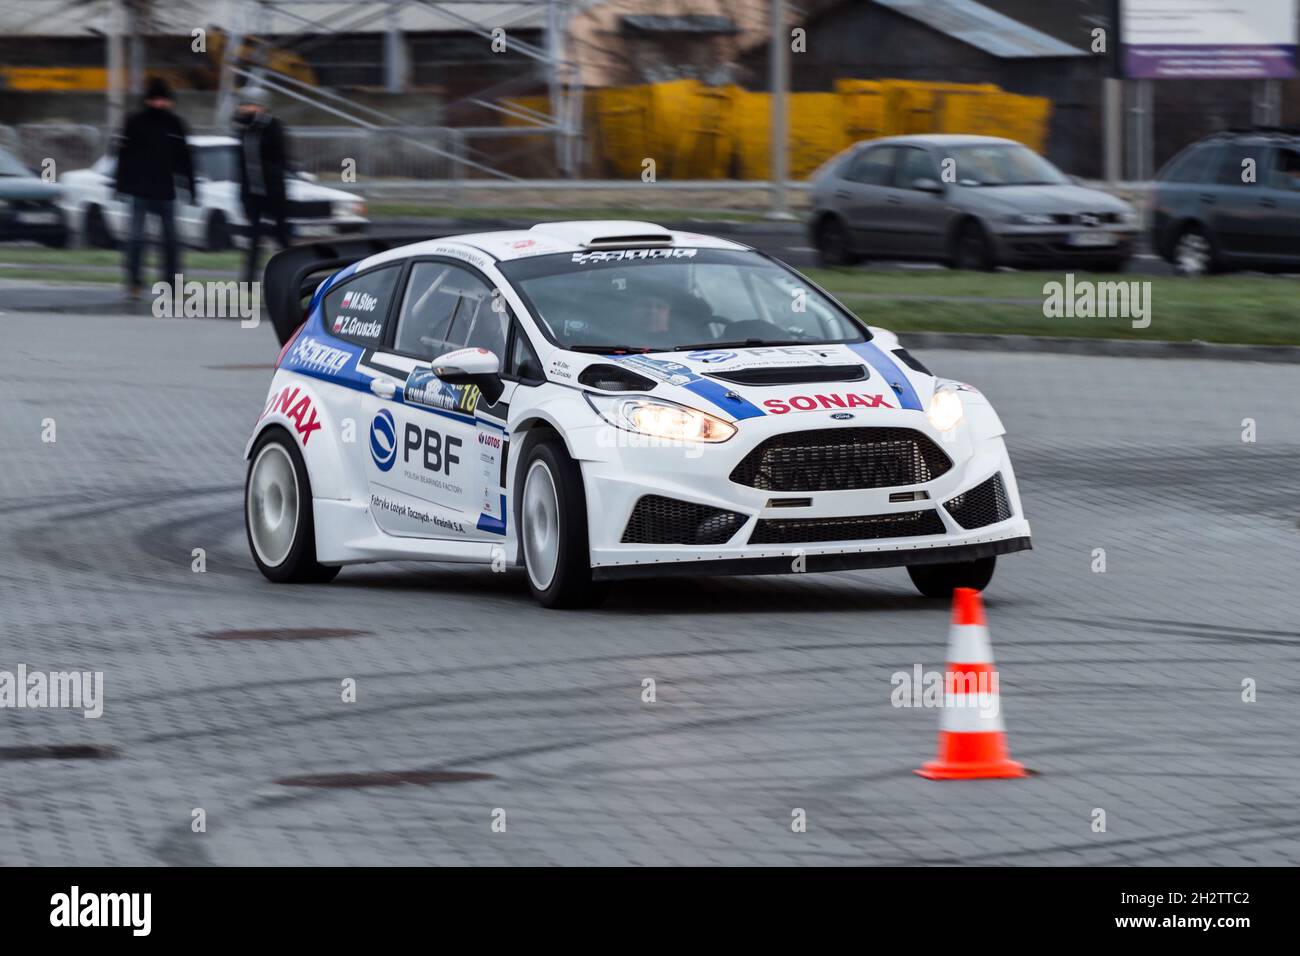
(431, 456)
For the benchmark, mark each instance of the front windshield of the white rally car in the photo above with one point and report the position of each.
(664, 300)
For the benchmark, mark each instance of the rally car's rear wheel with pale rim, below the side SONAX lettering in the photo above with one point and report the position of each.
(279, 513)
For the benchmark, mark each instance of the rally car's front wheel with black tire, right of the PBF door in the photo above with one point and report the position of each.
(570, 582)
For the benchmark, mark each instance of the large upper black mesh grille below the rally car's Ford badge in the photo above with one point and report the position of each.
(835, 460)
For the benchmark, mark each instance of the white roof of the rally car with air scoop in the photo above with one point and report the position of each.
(552, 239)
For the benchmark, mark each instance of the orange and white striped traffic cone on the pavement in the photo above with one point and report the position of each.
(972, 736)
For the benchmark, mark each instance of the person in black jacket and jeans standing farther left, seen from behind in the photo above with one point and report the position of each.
(153, 153)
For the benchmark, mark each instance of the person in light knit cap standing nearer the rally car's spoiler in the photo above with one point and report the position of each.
(263, 161)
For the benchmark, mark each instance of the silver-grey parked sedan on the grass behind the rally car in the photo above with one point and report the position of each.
(972, 202)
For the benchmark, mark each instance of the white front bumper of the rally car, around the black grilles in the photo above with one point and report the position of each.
(701, 477)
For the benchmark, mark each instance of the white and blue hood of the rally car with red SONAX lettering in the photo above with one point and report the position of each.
(860, 380)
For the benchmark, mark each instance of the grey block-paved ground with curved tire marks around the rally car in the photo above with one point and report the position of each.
(223, 693)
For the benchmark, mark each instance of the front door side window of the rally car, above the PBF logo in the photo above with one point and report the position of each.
(449, 308)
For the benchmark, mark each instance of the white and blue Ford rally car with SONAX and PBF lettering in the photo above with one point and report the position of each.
(596, 401)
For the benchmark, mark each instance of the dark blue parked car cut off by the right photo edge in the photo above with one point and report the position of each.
(1230, 202)
